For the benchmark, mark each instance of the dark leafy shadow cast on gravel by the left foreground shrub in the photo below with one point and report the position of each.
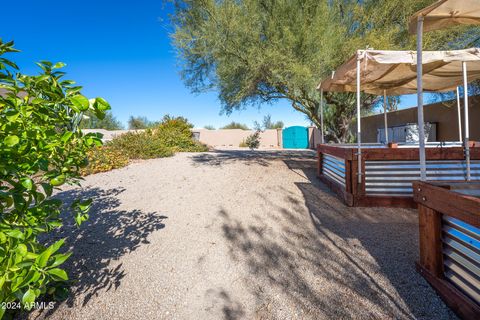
(104, 238)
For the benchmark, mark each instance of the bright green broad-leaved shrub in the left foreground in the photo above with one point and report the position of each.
(41, 148)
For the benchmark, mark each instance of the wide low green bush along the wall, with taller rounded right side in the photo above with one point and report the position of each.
(169, 136)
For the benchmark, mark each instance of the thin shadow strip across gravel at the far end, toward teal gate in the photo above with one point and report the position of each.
(248, 157)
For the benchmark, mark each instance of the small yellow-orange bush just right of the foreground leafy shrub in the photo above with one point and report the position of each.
(104, 158)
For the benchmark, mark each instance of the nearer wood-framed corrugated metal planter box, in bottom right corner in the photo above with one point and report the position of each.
(449, 225)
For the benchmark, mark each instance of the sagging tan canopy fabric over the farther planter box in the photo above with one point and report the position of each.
(394, 72)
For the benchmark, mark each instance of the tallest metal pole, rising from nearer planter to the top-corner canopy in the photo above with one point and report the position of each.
(421, 125)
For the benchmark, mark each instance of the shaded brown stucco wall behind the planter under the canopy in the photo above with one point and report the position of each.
(444, 114)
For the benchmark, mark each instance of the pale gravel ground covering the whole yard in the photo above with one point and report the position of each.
(239, 235)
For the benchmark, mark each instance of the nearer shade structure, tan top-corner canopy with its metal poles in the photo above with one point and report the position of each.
(441, 14)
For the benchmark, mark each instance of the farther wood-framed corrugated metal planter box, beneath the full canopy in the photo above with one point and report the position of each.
(388, 173)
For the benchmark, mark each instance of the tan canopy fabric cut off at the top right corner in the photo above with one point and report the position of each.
(446, 13)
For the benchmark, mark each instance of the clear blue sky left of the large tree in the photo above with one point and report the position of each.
(121, 50)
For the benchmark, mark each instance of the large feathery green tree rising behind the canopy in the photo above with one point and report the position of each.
(260, 51)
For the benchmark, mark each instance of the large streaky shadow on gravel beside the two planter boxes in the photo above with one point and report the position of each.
(331, 261)
